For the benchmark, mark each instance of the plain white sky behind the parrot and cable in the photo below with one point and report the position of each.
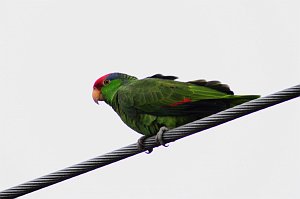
(51, 52)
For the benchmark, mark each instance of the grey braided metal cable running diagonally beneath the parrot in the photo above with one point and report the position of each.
(169, 136)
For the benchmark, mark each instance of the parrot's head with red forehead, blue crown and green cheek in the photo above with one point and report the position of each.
(106, 86)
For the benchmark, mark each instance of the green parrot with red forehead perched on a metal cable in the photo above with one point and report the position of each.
(155, 104)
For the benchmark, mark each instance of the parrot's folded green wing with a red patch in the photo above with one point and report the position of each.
(163, 97)
